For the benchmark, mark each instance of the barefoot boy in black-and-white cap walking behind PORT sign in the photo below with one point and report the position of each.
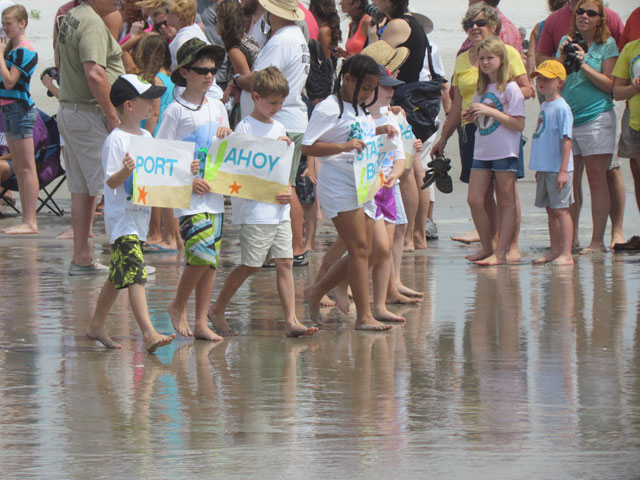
(126, 223)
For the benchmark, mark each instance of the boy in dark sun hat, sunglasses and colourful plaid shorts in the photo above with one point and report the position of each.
(195, 117)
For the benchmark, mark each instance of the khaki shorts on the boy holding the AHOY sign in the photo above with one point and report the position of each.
(262, 242)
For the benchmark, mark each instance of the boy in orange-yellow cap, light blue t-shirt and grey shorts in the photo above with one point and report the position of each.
(552, 160)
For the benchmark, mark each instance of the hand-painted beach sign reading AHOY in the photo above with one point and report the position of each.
(245, 166)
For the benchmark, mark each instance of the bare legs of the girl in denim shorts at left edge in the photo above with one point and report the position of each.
(24, 165)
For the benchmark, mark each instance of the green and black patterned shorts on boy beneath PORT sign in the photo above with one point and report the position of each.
(127, 262)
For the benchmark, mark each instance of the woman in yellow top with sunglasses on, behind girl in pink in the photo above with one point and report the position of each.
(480, 21)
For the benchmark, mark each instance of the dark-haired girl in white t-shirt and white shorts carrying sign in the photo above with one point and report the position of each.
(339, 128)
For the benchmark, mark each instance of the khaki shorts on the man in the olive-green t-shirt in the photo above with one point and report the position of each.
(84, 134)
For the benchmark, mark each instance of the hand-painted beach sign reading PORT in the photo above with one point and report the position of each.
(162, 177)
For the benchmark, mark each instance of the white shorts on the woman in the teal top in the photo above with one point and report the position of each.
(597, 137)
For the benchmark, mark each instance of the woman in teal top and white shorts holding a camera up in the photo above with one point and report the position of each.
(588, 91)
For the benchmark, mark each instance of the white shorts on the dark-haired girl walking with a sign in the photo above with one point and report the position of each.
(336, 190)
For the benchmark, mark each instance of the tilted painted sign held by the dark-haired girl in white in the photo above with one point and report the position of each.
(367, 167)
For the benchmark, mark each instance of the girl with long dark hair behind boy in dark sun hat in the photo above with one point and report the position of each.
(241, 48)
